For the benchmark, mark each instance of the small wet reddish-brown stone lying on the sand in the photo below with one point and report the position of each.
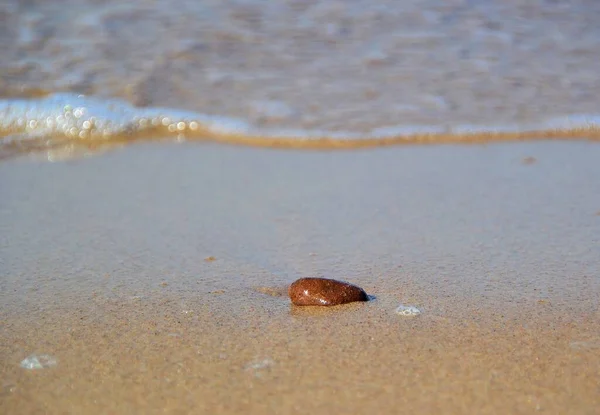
(324, 292)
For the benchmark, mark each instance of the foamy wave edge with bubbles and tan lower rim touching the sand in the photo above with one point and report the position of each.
(66, 121)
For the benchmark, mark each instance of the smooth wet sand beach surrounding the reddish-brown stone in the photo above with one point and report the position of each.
(103, 267)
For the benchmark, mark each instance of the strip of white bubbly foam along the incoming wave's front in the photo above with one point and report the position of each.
(80, 117)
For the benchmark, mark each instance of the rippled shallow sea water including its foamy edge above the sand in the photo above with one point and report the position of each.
(80, 77)
